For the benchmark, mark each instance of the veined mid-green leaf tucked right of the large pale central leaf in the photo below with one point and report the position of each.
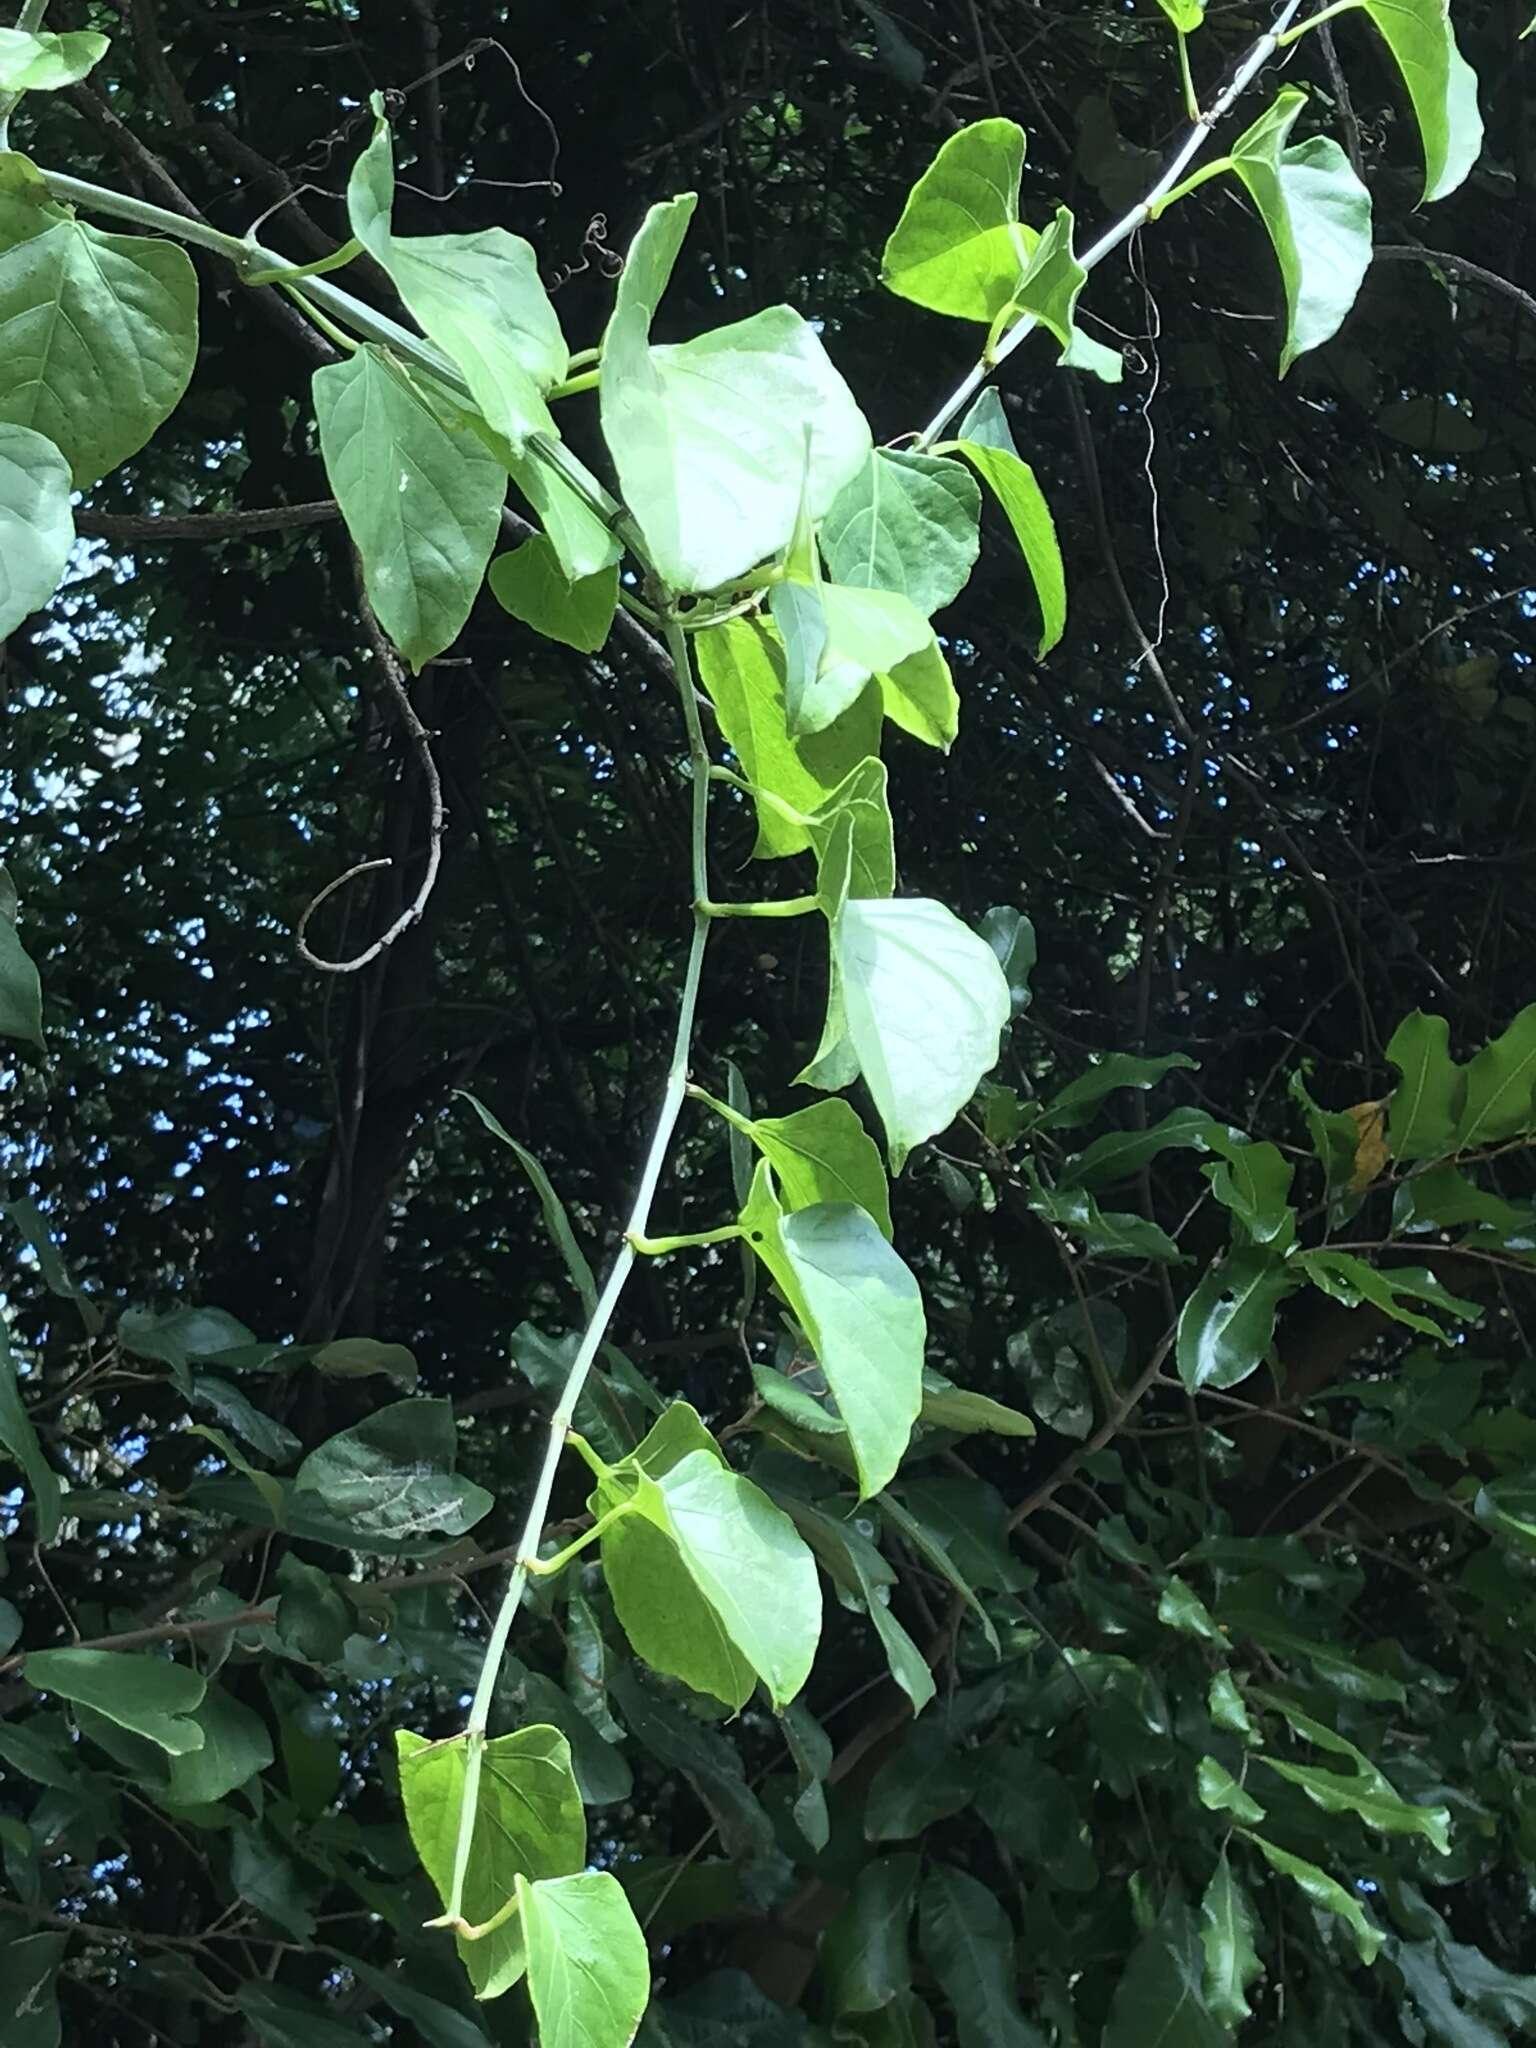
(904, 523)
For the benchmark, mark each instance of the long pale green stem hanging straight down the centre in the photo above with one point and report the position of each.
(560, 1422)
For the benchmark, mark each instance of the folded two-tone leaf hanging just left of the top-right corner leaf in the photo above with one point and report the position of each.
(1318, 216)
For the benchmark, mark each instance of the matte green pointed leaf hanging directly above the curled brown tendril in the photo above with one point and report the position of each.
(421, 499)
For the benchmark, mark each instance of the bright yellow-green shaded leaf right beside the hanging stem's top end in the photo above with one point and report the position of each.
(742, 669)
